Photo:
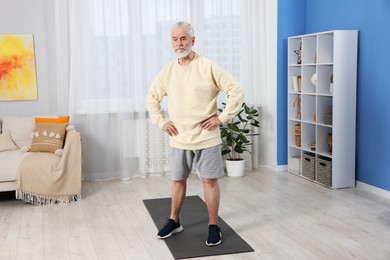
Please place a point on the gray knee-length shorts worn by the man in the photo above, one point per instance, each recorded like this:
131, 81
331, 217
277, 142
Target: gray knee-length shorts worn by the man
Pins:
208, 162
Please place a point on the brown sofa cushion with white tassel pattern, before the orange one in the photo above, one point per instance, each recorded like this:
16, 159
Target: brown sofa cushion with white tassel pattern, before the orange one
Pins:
48, 137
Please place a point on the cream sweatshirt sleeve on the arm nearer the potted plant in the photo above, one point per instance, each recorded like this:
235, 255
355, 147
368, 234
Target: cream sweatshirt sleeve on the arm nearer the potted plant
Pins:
235, 92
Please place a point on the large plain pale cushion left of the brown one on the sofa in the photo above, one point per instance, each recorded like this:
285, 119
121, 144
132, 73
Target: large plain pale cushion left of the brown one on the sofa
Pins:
20, 129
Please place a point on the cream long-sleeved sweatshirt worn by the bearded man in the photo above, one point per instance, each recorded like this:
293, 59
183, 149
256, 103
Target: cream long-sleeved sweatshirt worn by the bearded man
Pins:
192, 92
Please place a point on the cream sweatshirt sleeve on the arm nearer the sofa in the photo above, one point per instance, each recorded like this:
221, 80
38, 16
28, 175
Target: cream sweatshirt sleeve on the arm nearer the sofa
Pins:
154, 97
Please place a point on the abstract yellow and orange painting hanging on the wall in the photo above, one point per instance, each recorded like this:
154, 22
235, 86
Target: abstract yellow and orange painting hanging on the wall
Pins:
17, 67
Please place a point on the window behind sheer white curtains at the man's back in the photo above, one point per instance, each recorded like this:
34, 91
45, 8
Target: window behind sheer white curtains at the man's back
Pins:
128, 42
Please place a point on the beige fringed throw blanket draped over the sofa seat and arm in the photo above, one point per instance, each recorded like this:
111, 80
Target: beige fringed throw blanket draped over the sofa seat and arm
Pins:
45, 178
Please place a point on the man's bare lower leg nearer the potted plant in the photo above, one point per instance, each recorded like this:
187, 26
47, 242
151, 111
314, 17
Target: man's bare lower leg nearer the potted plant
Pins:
212, 197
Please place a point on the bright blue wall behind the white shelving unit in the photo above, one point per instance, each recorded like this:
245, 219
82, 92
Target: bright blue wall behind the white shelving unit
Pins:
372, 20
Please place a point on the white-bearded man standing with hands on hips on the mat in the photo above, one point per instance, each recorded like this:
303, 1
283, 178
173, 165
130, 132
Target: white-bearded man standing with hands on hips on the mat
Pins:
192, 83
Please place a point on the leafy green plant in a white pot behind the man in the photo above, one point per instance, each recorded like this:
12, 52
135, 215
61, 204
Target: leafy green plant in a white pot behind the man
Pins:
236, 134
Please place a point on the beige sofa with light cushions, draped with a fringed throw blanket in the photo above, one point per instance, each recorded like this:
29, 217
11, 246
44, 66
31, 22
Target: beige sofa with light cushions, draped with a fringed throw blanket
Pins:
38, 177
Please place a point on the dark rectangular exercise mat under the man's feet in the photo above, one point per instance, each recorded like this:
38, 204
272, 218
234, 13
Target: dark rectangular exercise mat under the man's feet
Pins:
191, 242
